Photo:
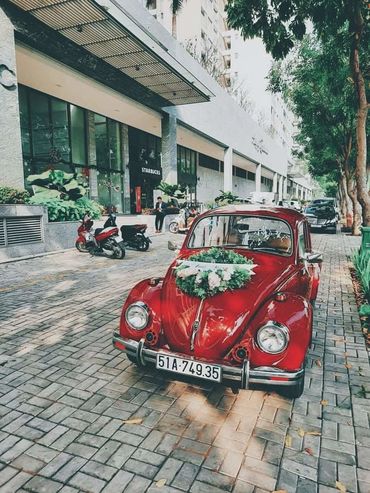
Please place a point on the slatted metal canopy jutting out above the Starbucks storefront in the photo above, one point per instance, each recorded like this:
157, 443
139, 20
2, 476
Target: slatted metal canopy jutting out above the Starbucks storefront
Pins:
92, 27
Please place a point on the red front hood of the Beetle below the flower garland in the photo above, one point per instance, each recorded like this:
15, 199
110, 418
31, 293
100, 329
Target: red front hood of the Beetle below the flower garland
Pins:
223, 318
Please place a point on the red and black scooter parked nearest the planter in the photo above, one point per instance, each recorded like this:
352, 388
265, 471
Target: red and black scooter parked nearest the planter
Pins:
103, 241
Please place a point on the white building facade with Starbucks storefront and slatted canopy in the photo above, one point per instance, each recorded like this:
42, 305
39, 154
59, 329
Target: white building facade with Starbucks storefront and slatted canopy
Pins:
108, 94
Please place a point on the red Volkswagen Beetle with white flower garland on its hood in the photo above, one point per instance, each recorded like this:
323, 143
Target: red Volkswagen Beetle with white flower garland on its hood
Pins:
235, 306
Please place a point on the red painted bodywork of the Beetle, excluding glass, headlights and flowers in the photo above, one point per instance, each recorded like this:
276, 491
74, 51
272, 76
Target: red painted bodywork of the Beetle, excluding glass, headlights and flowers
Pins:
231, 319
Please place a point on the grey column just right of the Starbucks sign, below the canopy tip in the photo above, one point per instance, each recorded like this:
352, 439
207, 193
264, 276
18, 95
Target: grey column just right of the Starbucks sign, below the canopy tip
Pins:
169, 149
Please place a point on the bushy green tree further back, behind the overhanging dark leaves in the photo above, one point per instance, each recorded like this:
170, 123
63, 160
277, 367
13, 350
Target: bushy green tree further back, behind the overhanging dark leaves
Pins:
324, 102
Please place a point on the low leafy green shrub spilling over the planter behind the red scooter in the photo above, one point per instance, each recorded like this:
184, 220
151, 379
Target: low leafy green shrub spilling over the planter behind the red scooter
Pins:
68, 210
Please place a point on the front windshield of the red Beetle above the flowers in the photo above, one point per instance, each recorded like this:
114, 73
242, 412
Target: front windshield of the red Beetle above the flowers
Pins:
251, 232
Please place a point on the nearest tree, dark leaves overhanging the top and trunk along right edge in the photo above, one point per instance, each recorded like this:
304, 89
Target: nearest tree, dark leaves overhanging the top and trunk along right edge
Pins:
281, 23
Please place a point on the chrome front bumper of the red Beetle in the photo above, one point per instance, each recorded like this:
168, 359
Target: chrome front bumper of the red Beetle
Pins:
241, 377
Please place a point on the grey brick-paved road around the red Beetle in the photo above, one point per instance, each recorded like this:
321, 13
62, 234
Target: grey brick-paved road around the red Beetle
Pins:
65, 392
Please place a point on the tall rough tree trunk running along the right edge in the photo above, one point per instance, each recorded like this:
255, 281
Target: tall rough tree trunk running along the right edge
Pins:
356, 29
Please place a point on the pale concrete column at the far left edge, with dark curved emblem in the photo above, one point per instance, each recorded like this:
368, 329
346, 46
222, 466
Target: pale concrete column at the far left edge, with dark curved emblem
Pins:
11, 159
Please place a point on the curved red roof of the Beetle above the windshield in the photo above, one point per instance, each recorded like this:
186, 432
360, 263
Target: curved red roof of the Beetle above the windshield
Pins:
290, 215
